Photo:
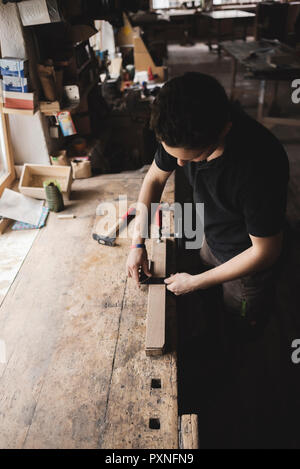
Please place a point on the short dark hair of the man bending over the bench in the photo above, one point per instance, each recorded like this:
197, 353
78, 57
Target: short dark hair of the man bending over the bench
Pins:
190, 111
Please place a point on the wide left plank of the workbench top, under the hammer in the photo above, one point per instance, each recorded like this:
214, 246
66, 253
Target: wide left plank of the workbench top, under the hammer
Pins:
60, 324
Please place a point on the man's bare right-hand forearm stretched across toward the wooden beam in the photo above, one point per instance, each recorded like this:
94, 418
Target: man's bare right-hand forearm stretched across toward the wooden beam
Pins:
262, 254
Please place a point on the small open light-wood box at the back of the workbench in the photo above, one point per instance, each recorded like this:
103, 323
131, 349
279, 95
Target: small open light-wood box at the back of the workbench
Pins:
34, 175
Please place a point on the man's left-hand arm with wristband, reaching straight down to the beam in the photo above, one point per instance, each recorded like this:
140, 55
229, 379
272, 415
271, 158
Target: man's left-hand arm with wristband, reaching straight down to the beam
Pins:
151, 191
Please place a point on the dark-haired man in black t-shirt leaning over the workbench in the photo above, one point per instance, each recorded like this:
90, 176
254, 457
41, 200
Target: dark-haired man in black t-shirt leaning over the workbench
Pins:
240, 171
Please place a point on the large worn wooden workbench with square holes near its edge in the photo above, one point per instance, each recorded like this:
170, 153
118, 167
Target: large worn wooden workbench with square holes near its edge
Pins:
74, 326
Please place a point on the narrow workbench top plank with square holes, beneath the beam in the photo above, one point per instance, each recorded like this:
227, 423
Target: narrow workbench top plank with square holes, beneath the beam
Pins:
143, 391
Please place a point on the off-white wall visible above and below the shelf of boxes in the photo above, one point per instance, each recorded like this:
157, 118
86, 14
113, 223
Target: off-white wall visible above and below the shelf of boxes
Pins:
29, 134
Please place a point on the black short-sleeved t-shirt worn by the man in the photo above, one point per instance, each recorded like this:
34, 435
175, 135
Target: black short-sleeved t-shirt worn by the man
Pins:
244, 190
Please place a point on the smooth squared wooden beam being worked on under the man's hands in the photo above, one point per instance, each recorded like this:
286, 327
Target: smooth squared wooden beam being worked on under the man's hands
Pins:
156, 312
